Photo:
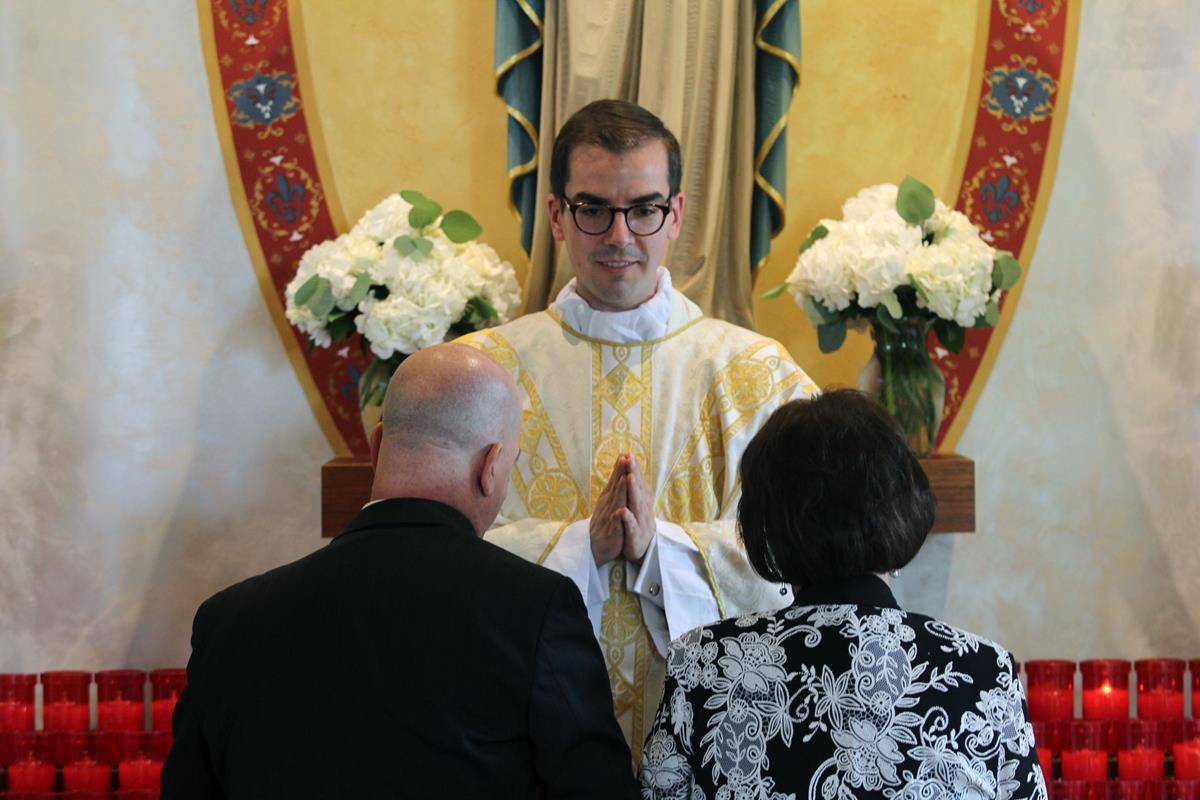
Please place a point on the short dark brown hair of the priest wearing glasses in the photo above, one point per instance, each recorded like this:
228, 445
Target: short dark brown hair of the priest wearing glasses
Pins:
617, 127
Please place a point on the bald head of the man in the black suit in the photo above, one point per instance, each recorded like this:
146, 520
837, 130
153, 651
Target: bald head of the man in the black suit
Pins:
452, 422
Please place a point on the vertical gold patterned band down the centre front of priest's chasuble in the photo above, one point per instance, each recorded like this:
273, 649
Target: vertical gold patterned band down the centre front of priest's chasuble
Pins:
623, 423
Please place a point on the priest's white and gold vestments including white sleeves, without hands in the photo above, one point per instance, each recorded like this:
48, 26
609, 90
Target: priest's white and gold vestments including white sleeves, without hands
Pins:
686, 406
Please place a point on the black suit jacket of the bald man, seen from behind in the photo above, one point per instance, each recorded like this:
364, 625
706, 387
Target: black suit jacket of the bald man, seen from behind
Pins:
406, 659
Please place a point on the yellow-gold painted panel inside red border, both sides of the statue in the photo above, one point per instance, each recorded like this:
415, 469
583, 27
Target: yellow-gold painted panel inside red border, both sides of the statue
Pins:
405, 100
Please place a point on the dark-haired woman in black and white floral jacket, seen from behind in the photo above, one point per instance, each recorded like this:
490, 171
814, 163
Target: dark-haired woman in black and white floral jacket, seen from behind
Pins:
842, 695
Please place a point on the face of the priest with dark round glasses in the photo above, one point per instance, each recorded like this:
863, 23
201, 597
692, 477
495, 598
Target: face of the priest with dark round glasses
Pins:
617, 268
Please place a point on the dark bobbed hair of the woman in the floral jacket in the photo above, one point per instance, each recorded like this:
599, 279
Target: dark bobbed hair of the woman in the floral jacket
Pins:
831, 490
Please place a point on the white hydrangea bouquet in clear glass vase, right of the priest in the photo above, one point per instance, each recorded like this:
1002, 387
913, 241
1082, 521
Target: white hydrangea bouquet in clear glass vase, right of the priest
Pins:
901, 262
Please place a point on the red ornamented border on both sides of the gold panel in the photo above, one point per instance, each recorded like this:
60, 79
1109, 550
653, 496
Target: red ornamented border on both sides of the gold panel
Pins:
285, 209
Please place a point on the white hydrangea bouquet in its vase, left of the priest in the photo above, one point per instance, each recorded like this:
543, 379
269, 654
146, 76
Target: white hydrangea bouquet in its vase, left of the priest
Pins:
407, 276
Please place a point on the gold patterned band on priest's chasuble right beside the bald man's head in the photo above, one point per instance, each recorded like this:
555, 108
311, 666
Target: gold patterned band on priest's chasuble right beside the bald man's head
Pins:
543, 476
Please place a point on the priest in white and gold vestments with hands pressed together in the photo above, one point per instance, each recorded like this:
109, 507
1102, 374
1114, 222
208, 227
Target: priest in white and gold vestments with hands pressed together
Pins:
637, 410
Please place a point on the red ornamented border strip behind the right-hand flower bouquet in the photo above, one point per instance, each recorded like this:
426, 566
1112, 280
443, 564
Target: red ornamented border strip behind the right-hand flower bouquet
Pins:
1006, 165
